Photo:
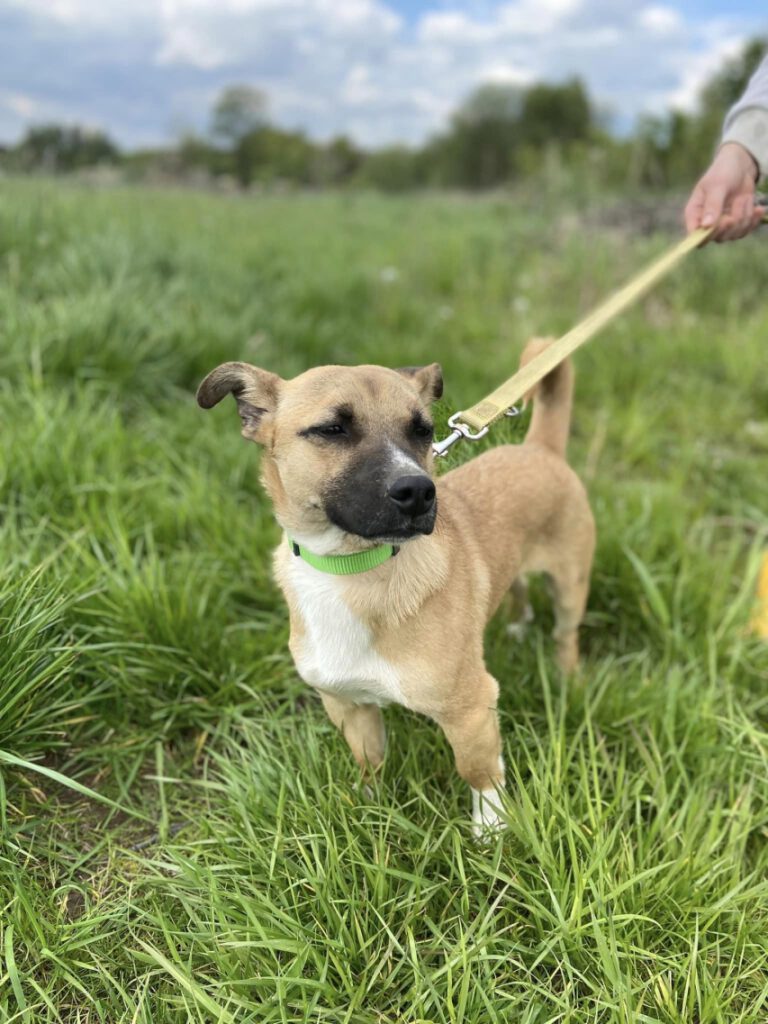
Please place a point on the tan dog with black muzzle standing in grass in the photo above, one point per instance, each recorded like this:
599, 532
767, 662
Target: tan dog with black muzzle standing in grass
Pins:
348, 463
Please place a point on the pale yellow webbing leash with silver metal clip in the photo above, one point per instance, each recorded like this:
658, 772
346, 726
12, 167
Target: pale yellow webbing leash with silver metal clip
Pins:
474, 423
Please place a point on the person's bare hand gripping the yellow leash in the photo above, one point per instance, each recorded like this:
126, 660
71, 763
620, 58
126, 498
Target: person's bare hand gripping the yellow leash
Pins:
726, 196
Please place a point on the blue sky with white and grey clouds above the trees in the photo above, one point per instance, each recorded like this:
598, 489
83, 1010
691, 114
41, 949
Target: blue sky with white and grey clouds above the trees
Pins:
379, 71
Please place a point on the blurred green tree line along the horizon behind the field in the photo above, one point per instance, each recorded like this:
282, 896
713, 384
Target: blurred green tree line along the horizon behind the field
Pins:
499, 135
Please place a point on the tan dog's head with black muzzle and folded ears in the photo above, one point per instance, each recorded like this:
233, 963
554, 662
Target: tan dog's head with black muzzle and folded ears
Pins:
347, 449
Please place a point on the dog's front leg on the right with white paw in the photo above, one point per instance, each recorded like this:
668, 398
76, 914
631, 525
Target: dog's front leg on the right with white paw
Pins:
473, 732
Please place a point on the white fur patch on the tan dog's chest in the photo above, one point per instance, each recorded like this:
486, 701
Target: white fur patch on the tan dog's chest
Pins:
337, 653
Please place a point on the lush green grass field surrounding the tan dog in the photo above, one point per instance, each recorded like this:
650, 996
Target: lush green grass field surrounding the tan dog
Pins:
184, 835
